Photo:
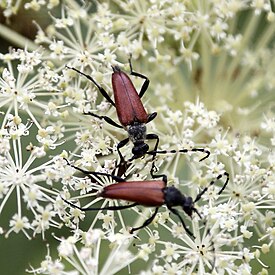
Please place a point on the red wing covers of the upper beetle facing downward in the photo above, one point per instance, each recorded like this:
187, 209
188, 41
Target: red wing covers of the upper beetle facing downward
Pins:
127, 101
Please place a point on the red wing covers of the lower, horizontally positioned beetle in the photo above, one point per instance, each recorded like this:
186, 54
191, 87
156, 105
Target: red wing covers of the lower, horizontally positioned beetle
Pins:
146, 193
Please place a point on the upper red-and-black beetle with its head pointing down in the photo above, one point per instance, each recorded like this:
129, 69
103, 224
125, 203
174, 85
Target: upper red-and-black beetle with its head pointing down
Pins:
130, 110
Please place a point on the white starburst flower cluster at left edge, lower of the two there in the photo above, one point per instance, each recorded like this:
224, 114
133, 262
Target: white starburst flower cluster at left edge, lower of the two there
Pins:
26, 180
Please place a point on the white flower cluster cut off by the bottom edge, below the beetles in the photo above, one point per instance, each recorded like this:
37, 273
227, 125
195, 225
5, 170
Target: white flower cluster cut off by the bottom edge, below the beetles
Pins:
86, 258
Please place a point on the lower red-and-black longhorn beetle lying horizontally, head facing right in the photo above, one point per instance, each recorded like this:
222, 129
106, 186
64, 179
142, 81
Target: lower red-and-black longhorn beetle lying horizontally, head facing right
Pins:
150, 193
